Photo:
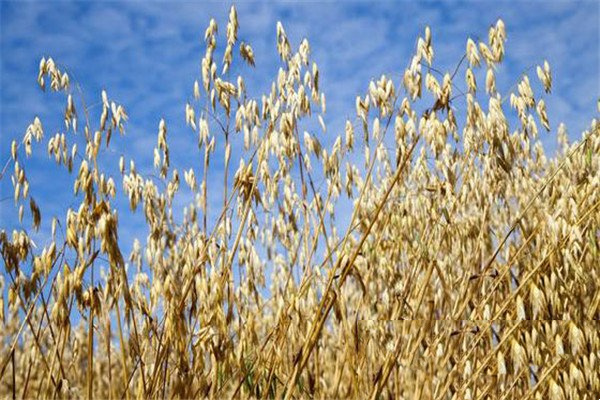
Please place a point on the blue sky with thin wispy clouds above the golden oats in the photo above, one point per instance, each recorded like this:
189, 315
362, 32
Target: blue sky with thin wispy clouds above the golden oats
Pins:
147, 56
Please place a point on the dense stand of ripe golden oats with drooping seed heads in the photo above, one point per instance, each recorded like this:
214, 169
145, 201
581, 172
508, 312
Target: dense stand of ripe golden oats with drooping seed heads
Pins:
469, 267
